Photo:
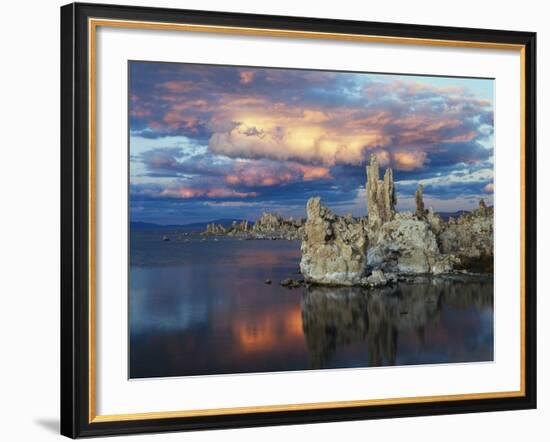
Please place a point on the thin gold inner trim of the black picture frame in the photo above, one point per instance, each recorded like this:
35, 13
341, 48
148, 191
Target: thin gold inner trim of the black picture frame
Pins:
93, 24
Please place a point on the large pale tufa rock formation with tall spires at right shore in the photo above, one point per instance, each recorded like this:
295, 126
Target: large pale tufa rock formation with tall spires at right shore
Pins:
387, 245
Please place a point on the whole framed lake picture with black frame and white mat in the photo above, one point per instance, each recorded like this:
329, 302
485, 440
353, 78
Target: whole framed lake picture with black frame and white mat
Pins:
278, 220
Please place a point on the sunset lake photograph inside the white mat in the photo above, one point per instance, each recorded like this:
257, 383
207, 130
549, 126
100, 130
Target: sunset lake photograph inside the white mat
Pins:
285, 219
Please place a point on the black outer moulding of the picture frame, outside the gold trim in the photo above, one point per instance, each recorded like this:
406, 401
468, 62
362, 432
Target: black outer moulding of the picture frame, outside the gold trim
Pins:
75, 220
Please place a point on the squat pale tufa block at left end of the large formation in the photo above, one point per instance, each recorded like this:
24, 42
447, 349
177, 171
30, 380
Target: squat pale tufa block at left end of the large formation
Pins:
333, 248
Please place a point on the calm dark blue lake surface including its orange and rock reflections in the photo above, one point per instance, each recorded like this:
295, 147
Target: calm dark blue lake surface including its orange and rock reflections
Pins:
203, 308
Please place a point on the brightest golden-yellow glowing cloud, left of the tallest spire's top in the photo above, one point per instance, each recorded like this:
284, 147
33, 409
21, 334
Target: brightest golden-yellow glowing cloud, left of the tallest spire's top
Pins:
285, 133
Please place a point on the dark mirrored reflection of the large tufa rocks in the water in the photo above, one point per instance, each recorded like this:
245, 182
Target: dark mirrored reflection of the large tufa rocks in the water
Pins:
334, 318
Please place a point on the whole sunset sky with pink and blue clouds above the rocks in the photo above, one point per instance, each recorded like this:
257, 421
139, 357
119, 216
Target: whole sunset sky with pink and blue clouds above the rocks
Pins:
210, 142
